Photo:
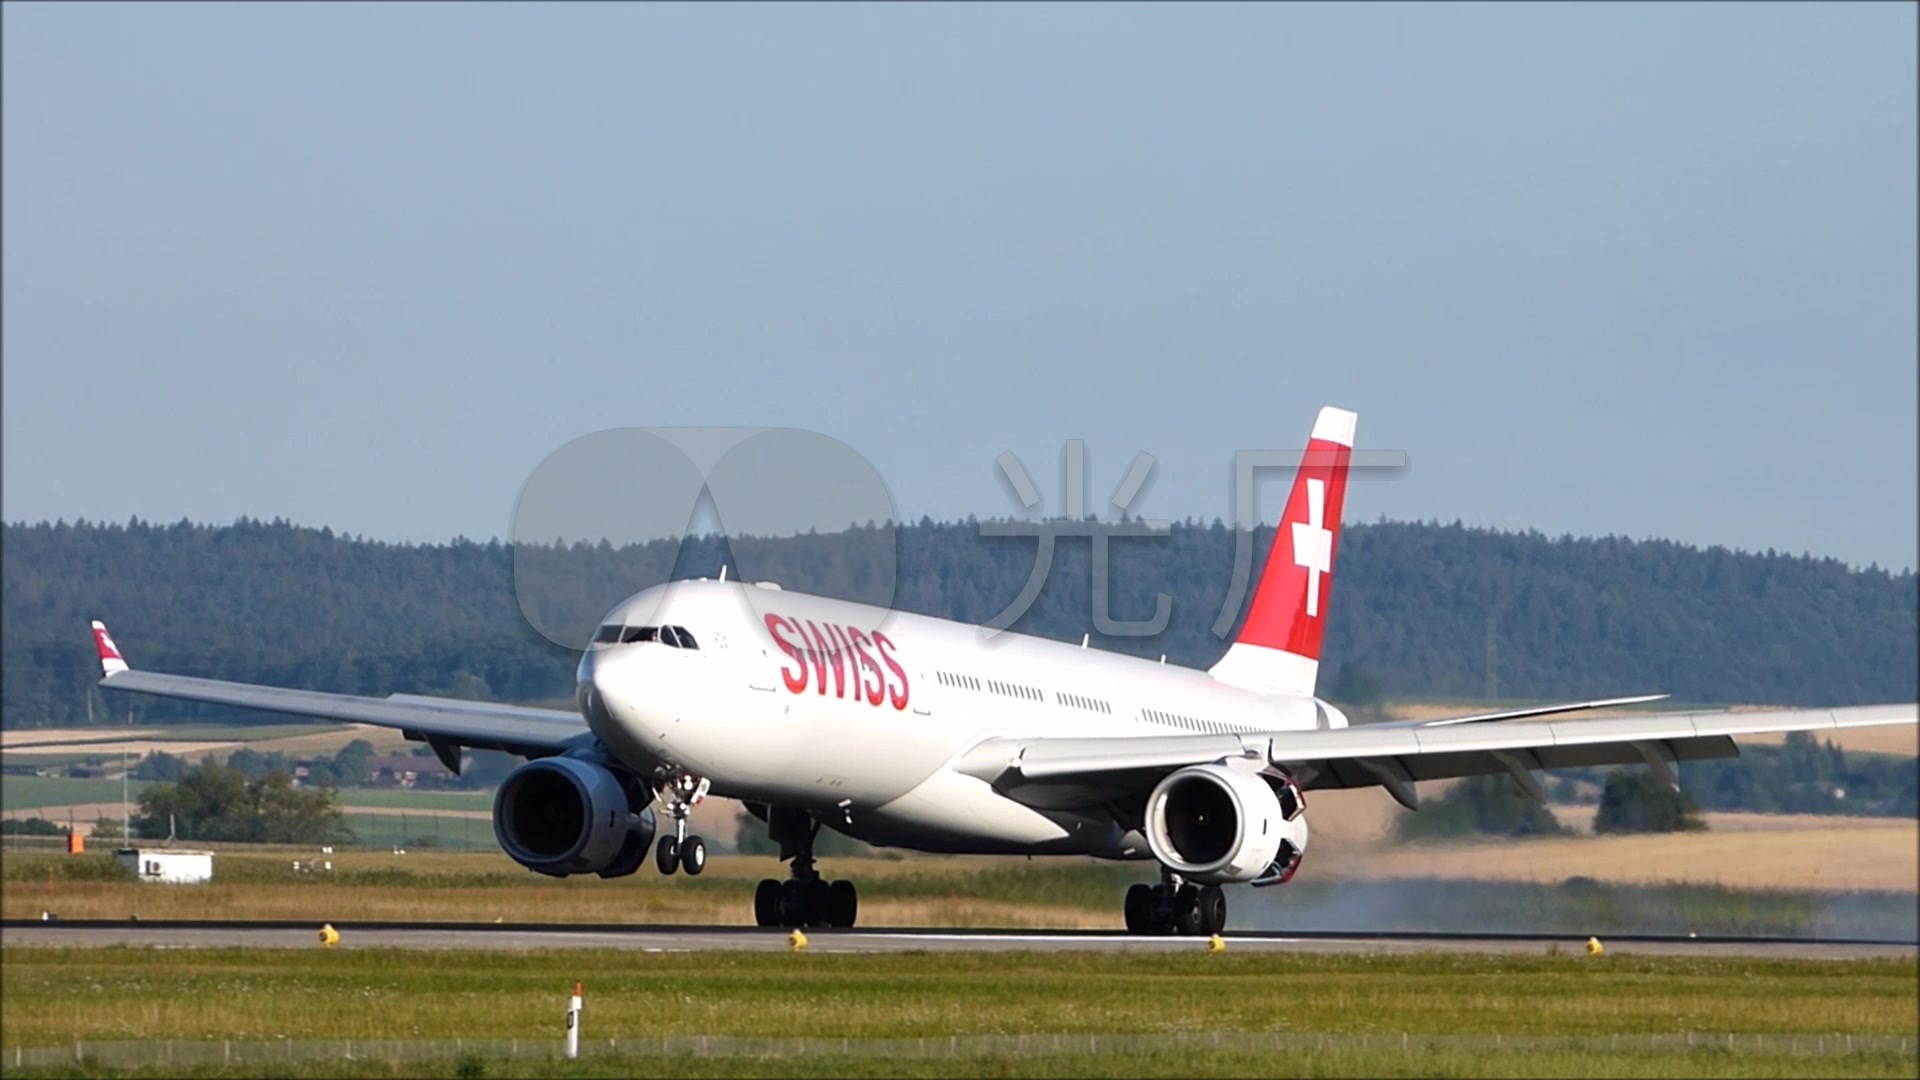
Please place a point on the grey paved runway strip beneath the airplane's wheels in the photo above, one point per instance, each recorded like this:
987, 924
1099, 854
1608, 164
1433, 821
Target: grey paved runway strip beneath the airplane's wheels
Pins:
660, 939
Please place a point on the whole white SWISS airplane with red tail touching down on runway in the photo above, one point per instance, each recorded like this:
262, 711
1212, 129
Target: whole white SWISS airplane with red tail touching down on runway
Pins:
923, 733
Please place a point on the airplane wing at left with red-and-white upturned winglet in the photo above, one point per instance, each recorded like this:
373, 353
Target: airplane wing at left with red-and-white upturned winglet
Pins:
444, 724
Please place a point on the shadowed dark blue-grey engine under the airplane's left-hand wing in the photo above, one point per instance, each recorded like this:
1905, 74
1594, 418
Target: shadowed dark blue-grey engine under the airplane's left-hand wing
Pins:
564, 816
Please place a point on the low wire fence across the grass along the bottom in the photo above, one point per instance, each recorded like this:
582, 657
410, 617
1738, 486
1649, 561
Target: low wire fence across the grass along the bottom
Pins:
197, 1054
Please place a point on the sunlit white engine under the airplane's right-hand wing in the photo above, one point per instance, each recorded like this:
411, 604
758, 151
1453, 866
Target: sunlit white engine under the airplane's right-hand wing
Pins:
1218, 825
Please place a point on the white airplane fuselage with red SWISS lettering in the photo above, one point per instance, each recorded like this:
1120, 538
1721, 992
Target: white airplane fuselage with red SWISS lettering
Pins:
859, 714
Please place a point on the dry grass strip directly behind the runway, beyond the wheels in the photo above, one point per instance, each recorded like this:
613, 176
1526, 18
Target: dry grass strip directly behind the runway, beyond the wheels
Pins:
915, 893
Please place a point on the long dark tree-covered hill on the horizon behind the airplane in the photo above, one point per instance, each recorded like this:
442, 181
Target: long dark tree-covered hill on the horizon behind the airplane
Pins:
1418, 608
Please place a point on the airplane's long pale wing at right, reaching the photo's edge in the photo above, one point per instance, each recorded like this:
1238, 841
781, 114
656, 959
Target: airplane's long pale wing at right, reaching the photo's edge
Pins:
1061, 773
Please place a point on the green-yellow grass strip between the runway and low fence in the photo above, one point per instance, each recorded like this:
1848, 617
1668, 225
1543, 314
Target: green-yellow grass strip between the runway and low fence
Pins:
64, 996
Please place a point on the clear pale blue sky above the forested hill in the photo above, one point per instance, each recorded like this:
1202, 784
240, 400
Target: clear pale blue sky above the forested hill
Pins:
1633, 270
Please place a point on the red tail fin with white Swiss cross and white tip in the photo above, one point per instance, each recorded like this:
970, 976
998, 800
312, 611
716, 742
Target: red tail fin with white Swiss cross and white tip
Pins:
1282, 637
